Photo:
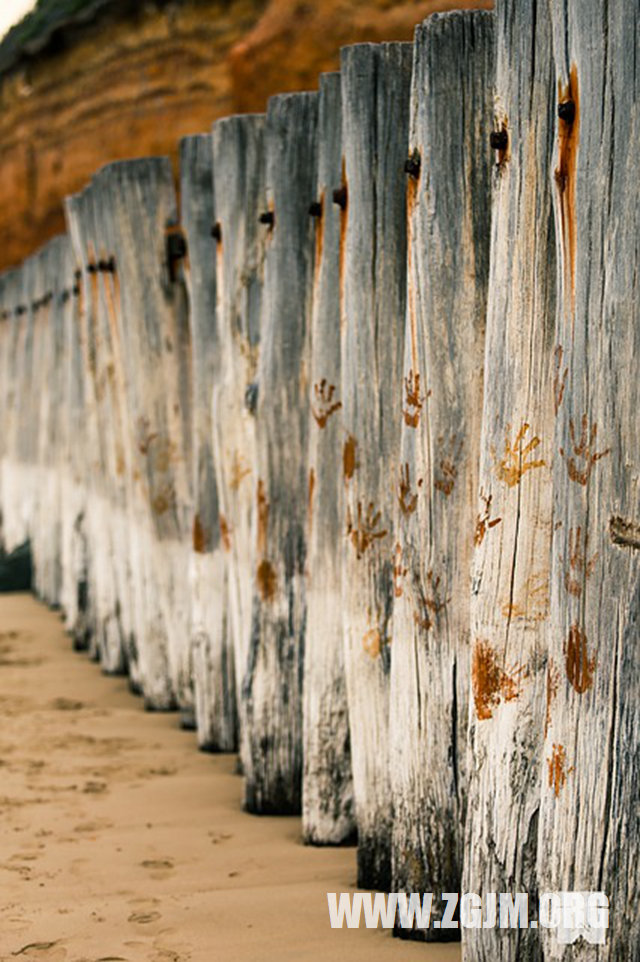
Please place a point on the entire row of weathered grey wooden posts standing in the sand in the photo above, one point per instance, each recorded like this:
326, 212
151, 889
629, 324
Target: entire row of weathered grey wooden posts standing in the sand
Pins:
341, 457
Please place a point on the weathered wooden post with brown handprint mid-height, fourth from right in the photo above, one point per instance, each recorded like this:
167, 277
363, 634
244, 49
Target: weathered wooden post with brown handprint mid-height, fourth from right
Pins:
376, 83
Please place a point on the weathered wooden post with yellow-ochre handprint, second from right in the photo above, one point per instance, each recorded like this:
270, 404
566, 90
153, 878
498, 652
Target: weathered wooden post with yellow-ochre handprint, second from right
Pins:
510, 587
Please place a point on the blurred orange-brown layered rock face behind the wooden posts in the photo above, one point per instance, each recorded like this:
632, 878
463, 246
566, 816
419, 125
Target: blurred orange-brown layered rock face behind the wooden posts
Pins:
142, 76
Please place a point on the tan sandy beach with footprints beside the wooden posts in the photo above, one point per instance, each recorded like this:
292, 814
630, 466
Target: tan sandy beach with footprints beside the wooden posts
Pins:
120, 841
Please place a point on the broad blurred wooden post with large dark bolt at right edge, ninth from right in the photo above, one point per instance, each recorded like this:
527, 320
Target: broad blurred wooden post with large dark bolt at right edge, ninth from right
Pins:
152, 318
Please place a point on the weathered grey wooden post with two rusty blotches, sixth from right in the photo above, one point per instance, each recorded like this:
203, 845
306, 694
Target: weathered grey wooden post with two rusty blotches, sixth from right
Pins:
273, 681
